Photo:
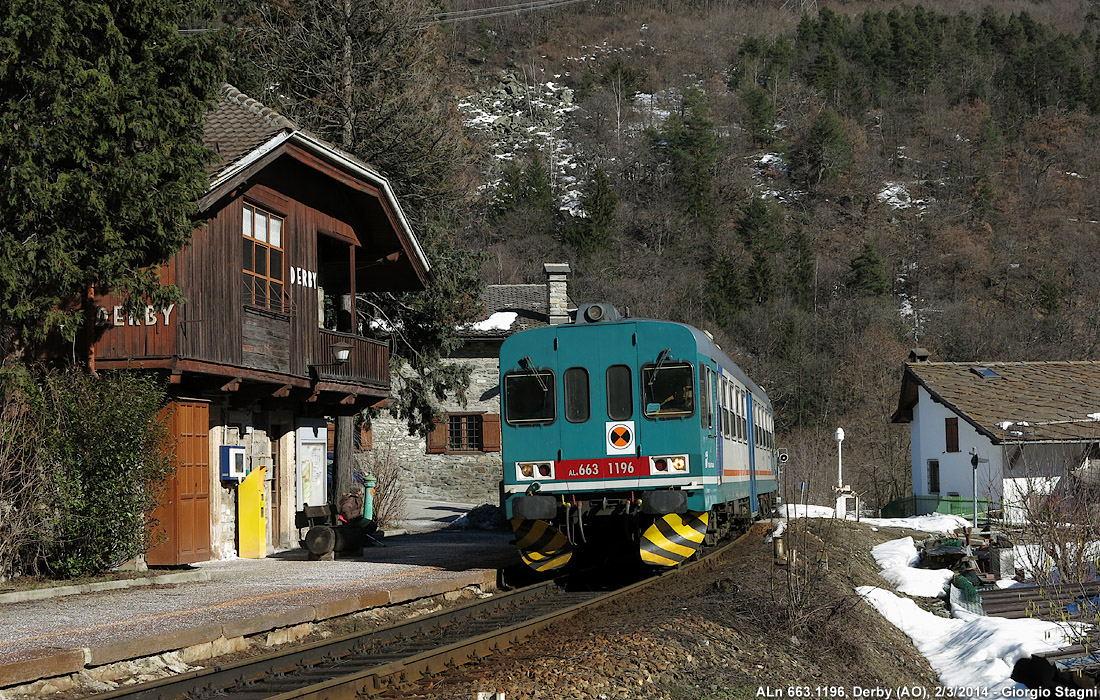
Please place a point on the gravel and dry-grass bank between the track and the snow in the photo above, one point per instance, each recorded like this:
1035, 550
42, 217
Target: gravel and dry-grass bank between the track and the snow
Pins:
744, 629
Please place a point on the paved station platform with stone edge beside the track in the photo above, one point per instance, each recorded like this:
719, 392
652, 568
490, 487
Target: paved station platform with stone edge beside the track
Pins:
206, 607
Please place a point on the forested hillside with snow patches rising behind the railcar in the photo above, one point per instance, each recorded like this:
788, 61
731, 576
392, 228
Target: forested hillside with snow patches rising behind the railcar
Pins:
823, 191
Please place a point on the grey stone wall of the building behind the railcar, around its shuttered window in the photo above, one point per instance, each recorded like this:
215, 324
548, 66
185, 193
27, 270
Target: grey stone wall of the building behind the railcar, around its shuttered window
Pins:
472, 479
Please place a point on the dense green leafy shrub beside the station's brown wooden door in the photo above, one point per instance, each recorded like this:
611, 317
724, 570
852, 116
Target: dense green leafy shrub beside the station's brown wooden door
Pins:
100, 454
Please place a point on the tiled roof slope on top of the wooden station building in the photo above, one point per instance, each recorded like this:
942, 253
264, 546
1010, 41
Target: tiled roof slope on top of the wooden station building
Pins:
239, 125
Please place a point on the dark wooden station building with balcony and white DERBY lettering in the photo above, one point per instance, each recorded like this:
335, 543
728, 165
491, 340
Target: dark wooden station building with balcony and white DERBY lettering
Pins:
293, 228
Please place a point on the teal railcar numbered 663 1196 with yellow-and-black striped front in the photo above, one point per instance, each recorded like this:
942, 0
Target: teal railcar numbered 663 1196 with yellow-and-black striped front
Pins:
639, 428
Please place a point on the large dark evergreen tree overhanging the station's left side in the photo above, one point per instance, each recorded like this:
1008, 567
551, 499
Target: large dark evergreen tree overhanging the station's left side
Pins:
102, 107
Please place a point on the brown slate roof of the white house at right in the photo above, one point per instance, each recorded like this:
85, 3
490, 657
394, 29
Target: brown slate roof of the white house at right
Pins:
1013, 402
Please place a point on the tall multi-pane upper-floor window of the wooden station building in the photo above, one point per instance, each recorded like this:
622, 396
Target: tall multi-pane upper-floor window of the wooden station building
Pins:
262, 244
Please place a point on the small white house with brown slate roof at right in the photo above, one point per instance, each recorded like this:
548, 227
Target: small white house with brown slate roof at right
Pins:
1016, 429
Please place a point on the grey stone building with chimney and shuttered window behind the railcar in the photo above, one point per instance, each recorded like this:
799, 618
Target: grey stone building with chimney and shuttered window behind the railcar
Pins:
461, 460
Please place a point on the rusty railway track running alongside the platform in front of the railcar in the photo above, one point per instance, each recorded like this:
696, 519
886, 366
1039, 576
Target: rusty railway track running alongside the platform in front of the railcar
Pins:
366, 664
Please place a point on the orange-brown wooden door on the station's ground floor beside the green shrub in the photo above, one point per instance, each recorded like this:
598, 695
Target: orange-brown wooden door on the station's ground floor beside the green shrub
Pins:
184, 513
